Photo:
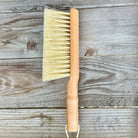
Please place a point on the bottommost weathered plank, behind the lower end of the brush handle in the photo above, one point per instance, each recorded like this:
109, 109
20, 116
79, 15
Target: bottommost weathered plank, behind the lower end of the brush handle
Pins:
94, 123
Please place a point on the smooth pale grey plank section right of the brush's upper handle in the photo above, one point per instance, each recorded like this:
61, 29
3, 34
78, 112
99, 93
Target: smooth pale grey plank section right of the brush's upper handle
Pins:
109, 31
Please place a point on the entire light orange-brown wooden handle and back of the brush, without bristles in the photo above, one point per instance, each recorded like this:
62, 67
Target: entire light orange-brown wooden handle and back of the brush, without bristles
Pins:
72, 87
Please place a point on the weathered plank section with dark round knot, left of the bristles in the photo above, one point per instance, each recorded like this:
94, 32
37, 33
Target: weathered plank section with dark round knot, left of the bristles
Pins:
17, 32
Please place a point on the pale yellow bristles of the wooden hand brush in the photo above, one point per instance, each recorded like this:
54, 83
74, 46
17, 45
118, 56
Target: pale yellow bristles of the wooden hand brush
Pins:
56, 48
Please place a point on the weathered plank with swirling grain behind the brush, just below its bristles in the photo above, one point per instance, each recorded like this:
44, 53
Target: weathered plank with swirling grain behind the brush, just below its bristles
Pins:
104, 81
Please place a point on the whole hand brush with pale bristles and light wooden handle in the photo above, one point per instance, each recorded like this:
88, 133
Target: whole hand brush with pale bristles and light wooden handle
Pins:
61, 56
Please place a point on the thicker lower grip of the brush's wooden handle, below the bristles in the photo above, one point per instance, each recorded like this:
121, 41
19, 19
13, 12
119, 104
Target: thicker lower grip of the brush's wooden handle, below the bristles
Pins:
72, 105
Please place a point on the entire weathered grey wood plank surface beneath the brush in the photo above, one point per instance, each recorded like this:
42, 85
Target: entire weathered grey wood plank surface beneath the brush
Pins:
108, 86
